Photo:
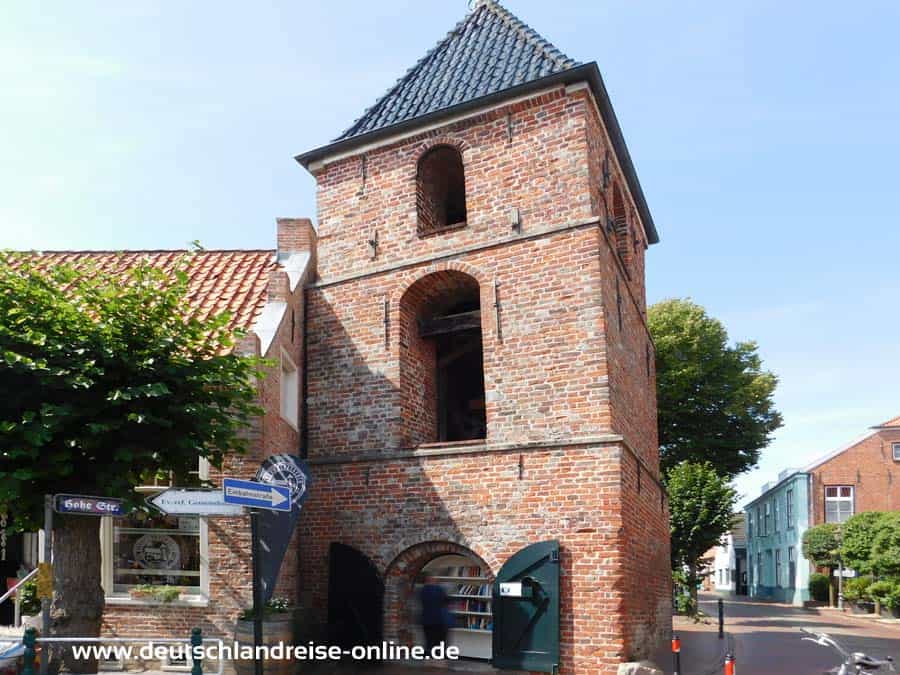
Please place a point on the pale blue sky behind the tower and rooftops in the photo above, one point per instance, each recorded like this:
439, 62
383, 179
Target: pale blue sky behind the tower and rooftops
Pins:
765, 134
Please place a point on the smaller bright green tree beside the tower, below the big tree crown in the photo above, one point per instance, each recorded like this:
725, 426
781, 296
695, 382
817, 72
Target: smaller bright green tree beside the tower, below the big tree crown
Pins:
701, 505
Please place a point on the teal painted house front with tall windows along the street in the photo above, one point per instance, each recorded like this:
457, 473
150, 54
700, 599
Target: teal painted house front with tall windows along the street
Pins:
775, 522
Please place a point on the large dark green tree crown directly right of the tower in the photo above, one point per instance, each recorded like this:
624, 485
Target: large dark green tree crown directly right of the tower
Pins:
715, 400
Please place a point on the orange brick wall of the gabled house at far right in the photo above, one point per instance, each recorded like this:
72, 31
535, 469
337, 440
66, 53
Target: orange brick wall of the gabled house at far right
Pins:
869, 467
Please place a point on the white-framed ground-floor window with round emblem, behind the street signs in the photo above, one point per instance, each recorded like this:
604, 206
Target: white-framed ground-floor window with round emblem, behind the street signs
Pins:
147, 548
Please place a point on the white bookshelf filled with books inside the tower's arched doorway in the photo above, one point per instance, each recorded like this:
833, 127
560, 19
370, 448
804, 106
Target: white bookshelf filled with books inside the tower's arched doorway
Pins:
469, 591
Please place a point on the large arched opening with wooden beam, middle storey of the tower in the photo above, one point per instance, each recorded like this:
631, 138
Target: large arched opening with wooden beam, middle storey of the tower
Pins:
442, 371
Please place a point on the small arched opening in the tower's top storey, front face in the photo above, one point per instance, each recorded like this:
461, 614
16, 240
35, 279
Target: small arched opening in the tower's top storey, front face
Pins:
441, 190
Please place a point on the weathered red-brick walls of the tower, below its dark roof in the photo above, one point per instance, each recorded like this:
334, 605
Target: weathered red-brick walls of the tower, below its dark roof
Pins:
564, 376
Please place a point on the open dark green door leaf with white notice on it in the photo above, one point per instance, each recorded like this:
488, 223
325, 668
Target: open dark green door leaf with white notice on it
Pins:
526, 610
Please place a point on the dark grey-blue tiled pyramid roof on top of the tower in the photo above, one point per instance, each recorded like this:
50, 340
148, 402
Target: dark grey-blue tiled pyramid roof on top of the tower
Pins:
487, 52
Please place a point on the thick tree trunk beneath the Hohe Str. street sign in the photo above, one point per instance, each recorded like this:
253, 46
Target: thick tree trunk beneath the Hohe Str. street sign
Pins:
77, 596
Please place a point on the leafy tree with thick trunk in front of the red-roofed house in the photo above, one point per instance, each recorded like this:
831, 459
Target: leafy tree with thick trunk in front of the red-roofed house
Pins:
107, 381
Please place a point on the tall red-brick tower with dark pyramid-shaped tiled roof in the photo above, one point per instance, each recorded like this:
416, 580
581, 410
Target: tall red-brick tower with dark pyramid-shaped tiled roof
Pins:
479, 370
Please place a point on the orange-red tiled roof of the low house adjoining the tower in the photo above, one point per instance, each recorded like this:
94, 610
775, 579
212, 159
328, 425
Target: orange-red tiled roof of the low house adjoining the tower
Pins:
219, 281
